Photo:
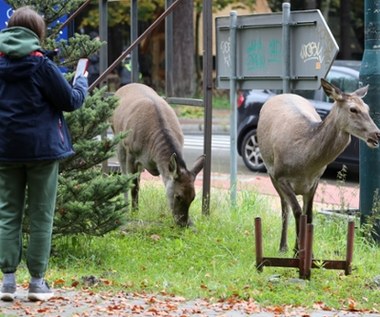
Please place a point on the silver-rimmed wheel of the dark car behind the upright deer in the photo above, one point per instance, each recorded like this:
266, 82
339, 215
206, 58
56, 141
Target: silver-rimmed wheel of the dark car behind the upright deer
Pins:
251, 153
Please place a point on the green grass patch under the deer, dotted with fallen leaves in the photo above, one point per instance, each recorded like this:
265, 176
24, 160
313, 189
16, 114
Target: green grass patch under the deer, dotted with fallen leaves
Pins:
217, 259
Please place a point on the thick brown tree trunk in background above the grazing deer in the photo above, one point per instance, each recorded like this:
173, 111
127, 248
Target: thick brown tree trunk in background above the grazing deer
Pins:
183, 50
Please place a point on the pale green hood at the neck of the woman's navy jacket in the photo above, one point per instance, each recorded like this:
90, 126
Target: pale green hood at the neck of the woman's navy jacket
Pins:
17, 42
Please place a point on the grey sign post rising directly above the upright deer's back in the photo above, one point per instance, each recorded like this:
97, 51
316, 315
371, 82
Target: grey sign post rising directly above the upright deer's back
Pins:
286, 47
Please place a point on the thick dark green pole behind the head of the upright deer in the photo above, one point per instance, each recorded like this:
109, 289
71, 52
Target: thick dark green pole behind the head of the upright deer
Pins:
369, 168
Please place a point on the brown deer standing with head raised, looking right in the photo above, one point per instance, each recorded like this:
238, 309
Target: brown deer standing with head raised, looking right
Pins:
296, 145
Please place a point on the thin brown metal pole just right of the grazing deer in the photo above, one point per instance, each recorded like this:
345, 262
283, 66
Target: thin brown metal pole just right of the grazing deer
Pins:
207, 97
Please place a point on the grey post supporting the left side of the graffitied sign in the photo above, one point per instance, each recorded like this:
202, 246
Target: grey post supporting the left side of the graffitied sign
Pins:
233, 121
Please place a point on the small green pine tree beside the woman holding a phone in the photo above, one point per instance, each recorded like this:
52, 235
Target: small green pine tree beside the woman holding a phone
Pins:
89, 201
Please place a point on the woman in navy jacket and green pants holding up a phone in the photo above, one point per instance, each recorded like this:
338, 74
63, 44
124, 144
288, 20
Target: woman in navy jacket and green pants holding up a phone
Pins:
34, 137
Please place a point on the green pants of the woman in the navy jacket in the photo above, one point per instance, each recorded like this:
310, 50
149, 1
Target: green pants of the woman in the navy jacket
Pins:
37, 182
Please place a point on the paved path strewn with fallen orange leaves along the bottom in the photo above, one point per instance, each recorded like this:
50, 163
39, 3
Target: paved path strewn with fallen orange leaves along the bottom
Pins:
88, 304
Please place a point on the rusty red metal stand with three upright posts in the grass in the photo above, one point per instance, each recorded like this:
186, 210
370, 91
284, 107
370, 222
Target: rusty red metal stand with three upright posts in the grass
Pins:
304, 262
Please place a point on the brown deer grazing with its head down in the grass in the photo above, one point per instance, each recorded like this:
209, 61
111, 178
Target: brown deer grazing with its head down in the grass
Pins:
155, 143
